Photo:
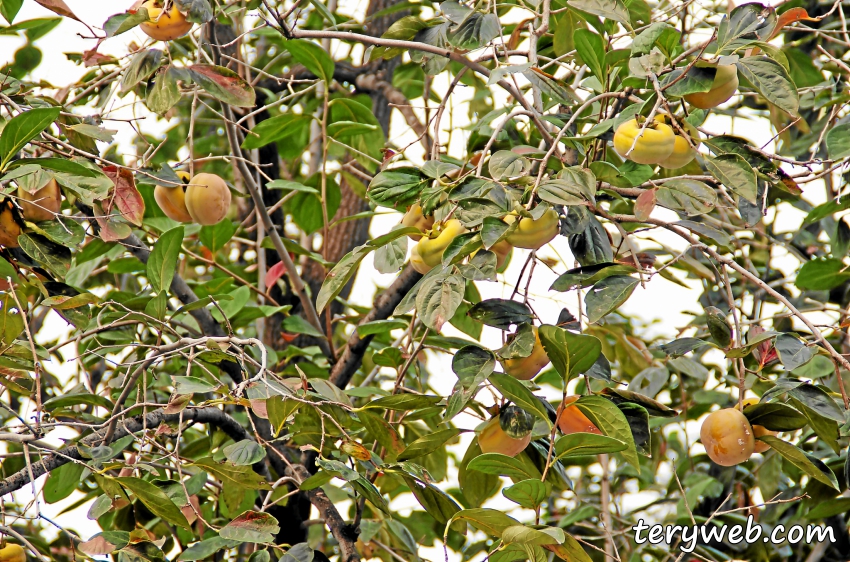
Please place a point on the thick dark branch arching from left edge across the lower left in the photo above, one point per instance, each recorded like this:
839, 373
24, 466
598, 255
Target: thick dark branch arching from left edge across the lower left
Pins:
211, 416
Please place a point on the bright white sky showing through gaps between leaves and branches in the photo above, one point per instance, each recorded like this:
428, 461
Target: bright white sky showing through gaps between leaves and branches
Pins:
663, 305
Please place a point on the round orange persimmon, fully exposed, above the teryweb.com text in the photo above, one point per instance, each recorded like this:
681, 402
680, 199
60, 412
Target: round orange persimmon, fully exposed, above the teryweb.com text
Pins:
727, 437
